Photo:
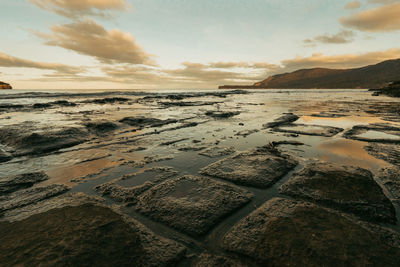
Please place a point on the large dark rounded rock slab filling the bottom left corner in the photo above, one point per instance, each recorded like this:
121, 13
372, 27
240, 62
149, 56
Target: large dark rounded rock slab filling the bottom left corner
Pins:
85, 235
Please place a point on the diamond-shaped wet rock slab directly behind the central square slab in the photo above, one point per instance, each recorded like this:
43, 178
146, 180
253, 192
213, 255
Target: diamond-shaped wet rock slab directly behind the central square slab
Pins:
258, 168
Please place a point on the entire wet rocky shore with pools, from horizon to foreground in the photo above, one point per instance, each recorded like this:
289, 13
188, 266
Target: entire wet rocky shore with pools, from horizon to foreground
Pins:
199, 179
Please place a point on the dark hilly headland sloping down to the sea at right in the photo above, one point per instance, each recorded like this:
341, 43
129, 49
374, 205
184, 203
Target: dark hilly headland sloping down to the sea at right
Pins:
373, 76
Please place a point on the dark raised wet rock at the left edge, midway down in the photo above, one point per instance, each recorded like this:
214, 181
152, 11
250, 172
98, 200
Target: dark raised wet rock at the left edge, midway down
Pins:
27, 143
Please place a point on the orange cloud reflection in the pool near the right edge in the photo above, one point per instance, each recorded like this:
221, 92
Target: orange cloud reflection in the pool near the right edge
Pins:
349, 152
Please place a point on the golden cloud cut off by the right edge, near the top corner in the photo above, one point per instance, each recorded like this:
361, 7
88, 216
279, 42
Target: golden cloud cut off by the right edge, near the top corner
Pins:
380, 19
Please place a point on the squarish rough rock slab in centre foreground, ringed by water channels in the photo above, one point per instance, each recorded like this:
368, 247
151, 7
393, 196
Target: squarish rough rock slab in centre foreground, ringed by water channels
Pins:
191, 204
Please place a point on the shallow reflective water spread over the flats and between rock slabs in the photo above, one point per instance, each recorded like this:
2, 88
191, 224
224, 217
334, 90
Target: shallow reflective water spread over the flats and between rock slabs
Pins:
129, 149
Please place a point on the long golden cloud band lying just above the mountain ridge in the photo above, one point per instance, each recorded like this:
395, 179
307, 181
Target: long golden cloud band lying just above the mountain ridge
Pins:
339, 61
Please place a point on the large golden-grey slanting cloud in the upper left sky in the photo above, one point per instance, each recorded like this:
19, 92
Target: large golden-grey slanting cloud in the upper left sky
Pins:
89, 38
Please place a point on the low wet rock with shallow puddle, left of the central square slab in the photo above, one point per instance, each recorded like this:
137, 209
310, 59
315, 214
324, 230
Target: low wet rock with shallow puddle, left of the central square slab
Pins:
135, 184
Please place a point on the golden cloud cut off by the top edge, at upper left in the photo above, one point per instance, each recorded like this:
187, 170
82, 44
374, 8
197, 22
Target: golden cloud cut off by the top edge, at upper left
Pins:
78, 8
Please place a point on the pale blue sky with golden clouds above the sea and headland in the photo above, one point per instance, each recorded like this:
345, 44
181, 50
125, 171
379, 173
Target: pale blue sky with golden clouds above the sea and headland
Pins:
139, 44
